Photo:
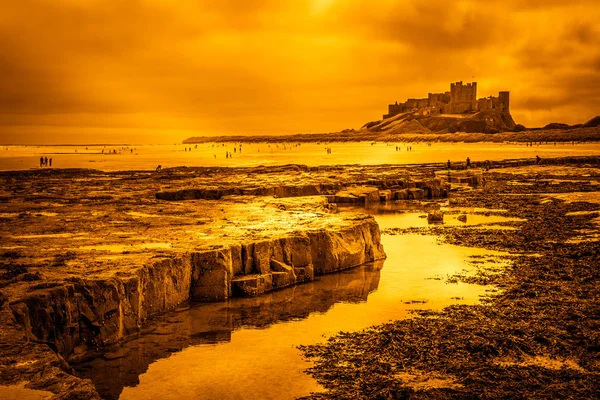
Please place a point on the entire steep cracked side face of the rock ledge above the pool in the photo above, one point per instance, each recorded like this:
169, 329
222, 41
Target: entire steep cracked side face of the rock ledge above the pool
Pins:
83, 316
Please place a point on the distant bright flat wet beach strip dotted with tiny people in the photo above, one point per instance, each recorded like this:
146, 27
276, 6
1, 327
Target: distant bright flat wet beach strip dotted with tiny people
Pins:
148, 157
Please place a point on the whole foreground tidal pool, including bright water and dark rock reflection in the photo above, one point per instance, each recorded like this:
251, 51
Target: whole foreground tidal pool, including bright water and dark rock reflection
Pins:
246, 348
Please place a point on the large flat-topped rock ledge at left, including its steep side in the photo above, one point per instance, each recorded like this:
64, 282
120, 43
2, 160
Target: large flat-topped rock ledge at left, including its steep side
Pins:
84, 265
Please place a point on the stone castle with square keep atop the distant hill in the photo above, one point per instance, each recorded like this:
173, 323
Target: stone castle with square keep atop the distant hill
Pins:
459, 100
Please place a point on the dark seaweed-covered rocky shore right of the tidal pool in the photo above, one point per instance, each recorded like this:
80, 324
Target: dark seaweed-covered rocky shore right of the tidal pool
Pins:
537, 337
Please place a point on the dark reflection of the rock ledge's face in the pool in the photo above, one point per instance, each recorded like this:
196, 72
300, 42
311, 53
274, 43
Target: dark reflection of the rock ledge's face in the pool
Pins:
214, 323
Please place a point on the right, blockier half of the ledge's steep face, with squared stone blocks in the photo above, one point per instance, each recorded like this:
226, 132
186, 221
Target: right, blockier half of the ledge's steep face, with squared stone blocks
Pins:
256, 268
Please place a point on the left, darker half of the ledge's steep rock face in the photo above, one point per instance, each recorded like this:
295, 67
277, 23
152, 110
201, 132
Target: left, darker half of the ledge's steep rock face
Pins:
82, 316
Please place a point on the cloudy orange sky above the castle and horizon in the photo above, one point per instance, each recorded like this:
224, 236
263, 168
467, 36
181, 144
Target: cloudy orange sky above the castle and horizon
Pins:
159, 71
